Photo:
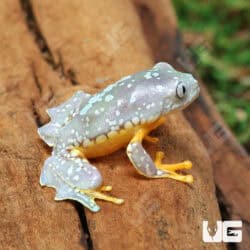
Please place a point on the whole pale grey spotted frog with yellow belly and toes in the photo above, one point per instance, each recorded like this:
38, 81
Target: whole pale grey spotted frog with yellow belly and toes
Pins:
121, 115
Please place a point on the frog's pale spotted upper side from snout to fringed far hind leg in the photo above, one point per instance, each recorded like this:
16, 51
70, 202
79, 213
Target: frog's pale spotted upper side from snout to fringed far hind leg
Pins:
135, 99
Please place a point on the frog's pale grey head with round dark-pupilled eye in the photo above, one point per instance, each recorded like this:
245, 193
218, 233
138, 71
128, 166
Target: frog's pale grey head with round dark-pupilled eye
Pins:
180, 89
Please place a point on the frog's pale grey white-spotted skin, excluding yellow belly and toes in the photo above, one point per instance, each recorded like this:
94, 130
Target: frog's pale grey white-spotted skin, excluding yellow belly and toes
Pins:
139, 98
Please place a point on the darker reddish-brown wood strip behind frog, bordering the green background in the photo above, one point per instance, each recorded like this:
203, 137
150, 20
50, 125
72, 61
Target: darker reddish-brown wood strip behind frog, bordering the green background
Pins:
230, 160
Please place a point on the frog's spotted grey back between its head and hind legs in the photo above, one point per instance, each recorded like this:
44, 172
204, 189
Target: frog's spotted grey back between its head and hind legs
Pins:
121, 106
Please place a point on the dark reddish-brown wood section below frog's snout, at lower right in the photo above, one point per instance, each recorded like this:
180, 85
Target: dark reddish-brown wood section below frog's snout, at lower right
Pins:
231, 163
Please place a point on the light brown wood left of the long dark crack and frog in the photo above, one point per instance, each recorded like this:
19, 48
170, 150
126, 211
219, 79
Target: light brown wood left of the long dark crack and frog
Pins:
29, 220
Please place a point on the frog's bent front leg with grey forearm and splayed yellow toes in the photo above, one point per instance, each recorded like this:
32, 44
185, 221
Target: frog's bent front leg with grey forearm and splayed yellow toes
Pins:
145, 165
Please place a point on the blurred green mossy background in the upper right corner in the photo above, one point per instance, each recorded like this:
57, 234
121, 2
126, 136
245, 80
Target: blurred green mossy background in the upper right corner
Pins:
217, 33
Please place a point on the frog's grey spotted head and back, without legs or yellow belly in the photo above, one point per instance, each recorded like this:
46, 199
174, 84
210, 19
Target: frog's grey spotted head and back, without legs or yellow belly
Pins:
136, 99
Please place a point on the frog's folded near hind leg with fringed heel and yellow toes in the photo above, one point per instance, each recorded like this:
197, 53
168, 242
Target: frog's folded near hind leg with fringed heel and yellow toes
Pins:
76, 179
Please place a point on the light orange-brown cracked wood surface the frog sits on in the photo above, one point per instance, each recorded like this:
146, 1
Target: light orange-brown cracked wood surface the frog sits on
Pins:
48, 50
